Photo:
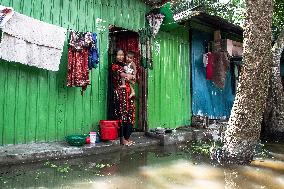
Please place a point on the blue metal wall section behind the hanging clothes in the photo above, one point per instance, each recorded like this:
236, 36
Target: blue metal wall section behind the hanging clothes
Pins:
206, 98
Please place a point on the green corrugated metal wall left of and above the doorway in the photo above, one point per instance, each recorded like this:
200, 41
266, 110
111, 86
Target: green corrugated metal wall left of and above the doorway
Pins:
35, 104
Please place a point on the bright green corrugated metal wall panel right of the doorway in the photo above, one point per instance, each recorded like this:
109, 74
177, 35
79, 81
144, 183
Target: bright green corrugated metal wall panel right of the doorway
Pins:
169, 81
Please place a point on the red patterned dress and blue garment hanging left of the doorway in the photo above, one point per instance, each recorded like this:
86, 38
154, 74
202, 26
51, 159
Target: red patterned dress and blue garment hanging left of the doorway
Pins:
82, 56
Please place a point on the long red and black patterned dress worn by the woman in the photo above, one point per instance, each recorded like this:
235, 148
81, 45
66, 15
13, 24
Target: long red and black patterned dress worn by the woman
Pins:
124, 109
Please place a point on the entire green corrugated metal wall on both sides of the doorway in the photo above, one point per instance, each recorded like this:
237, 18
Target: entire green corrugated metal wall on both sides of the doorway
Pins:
37, 106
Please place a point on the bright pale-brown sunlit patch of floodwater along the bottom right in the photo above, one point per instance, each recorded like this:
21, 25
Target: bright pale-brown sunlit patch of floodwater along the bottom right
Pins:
182, 174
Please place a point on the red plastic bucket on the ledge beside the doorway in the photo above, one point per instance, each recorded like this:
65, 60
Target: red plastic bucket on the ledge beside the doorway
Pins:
109, 129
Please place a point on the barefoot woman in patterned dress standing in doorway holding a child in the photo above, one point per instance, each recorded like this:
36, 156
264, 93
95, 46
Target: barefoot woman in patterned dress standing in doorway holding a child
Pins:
124, 109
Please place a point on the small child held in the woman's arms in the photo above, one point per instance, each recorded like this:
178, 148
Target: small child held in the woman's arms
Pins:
129, 68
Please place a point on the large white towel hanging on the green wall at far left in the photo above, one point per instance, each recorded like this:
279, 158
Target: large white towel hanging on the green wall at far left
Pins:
32, 42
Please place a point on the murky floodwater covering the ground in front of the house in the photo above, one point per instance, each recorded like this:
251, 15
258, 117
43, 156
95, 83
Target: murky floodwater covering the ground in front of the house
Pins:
157, 167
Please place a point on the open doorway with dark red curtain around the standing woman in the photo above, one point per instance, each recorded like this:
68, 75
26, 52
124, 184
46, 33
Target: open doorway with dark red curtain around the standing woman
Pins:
120, 38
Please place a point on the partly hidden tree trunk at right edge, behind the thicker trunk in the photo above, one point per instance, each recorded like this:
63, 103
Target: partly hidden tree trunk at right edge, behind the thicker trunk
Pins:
273, 122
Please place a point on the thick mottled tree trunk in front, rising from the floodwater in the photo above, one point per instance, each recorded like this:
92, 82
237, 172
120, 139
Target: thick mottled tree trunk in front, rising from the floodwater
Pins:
245, 122
